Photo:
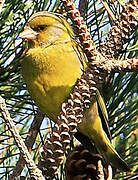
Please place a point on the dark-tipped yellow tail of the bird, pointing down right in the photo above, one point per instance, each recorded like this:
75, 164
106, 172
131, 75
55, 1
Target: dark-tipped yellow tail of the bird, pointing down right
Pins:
110, 155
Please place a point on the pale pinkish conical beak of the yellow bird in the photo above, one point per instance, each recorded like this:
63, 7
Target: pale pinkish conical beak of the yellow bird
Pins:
28, 33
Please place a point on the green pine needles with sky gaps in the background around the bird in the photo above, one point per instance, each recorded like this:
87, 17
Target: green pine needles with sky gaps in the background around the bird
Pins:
122, 91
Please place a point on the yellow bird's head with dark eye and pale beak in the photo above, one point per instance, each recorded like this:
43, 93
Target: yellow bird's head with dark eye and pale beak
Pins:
45, 28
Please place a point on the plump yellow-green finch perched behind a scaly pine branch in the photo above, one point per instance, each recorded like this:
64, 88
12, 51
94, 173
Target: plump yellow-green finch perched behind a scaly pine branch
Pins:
53, 62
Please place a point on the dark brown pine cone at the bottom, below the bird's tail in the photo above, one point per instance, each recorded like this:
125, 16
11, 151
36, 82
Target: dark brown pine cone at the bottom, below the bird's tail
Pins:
82, 164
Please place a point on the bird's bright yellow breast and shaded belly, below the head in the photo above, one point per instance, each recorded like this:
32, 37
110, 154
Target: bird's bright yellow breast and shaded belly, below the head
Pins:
50, 73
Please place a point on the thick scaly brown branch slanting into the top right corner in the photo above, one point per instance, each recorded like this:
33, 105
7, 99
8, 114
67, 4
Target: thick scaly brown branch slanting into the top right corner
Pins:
120, 33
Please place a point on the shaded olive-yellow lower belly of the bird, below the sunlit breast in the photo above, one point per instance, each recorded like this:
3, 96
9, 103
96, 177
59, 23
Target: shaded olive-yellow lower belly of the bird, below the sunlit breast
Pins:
49, 99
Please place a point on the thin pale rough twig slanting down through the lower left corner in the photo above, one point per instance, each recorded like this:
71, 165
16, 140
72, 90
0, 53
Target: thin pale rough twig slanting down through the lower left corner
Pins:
34, 171
